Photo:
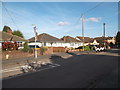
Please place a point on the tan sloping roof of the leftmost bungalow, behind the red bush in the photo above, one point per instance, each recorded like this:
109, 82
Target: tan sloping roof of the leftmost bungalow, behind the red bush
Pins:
9, 37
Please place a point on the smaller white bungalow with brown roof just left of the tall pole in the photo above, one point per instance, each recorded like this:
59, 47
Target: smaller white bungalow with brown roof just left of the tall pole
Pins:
71, 42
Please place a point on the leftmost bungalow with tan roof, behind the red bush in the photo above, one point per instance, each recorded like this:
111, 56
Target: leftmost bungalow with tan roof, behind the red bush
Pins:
5, 37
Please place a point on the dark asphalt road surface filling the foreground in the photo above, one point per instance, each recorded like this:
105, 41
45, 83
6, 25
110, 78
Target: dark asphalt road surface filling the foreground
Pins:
78, 71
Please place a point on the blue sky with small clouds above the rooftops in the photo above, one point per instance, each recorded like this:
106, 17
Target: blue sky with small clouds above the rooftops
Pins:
61, 18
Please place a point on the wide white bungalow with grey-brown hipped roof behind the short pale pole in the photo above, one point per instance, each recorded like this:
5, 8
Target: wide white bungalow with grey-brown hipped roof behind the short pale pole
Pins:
46, 40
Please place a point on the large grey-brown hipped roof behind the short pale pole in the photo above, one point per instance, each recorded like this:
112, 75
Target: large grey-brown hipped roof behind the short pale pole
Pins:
45, 38
